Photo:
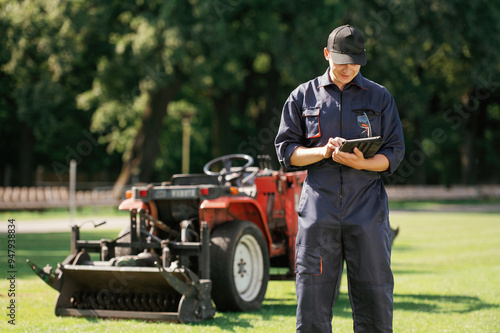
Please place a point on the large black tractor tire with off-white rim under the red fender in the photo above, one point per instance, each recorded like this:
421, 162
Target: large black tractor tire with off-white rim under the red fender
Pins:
239, 266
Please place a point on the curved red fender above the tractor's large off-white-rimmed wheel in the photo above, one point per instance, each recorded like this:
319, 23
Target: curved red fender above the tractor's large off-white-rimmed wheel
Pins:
238, 208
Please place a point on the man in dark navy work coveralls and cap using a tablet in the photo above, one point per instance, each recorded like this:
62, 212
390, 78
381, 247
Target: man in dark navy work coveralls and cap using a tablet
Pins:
343, 210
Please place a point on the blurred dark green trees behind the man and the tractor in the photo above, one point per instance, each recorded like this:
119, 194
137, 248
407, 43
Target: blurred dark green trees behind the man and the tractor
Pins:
118, 86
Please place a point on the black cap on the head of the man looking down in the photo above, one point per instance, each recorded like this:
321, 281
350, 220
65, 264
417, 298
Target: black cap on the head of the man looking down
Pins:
346, 46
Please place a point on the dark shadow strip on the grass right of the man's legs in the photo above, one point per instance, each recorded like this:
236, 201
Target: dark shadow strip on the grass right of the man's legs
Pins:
440, 303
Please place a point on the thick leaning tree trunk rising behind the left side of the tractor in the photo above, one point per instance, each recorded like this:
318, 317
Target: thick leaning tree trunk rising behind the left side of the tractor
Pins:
146, 147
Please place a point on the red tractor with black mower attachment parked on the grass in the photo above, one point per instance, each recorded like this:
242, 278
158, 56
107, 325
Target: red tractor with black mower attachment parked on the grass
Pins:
197, 238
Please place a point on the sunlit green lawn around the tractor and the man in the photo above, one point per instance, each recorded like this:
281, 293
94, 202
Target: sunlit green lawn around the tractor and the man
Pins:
446, 268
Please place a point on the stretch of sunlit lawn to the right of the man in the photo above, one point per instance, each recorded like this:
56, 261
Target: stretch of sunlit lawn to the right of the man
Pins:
446, 271
